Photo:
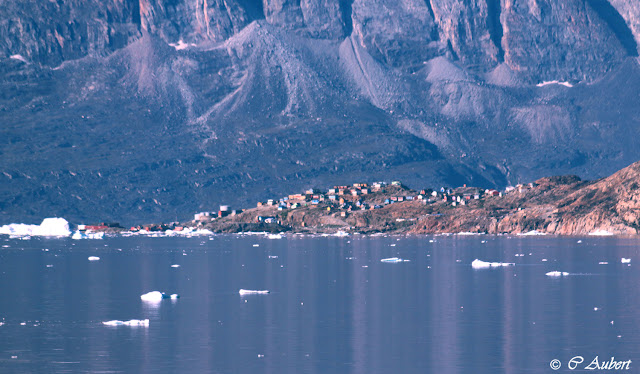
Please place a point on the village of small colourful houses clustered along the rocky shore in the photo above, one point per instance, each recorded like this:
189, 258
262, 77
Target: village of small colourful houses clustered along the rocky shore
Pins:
363, 207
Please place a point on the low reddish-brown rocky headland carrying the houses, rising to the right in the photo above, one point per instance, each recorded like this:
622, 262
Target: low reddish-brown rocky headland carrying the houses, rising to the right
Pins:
554, 205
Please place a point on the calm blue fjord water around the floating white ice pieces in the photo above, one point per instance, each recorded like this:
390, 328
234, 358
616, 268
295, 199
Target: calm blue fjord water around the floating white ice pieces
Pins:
333, 307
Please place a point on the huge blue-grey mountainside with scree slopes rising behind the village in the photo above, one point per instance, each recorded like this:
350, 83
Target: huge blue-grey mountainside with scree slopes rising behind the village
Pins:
148, 111
